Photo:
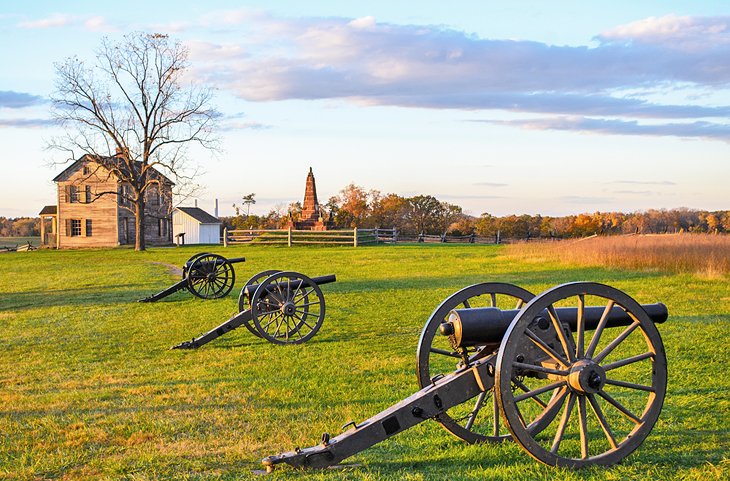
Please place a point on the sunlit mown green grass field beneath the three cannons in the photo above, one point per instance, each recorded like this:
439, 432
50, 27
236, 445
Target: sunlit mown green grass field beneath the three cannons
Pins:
89, 389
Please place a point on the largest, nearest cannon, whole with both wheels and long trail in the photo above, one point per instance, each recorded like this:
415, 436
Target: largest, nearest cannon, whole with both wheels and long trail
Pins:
576, 376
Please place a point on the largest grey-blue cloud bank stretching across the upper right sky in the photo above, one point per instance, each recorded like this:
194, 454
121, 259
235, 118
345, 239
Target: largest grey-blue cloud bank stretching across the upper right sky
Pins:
437, 67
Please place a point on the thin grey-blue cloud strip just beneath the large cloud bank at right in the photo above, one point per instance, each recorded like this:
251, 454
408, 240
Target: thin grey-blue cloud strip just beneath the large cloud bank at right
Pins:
697, 129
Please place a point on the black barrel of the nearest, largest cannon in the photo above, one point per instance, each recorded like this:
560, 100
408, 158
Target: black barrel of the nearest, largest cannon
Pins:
487, 325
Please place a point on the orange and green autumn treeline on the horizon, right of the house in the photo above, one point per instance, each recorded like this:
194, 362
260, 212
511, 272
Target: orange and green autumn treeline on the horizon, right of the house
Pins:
424, 214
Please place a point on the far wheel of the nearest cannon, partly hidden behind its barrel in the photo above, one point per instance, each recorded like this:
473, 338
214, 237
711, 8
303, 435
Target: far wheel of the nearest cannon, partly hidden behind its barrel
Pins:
435, 357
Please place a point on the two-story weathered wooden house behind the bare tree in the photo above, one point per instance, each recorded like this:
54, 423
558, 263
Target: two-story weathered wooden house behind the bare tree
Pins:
91, 210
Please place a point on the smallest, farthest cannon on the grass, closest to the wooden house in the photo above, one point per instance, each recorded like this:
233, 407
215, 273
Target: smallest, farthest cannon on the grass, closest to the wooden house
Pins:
205, 275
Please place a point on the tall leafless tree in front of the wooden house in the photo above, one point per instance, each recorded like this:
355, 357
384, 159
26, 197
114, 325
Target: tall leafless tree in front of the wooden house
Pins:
133, 116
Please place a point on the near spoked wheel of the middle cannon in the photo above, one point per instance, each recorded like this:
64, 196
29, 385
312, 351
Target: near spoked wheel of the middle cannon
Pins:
283, 314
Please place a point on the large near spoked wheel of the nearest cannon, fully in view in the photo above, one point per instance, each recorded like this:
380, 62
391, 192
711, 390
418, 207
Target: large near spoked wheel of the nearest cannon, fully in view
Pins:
608, 408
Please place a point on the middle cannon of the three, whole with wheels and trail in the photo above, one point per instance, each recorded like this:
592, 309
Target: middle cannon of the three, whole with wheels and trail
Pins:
283, 307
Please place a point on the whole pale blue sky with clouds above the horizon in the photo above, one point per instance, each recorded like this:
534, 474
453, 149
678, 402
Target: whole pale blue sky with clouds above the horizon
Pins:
501, 107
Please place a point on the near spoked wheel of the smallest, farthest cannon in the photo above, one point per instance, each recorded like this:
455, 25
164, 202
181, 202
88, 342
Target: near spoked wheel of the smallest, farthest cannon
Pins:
210, 276
